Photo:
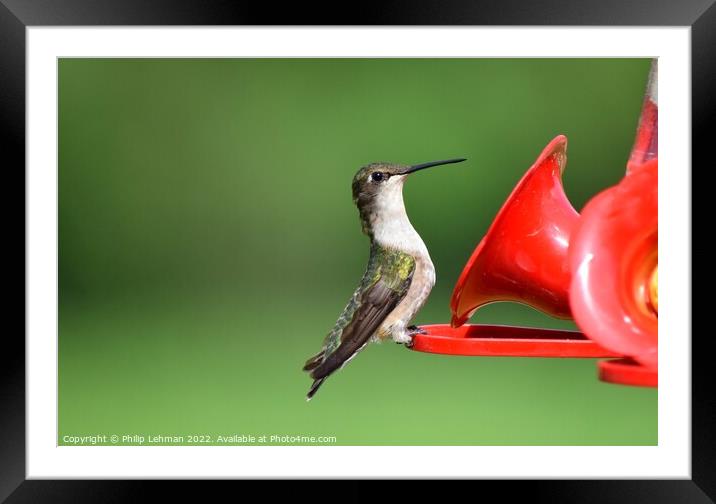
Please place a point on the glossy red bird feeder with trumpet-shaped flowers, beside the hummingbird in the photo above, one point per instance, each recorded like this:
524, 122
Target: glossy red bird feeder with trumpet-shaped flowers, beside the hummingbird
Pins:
599, 268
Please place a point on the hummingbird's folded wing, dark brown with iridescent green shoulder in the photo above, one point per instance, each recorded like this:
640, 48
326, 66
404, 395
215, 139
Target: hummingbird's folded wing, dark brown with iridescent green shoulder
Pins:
385, 284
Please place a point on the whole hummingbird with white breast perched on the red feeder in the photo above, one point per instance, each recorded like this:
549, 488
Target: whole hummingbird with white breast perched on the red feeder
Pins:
397, 281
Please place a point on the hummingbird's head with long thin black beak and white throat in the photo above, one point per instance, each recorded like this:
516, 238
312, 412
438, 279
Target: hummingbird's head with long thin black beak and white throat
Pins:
378, 189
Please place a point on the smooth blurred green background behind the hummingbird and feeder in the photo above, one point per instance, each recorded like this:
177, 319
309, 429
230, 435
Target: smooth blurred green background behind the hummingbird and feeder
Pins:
208, 241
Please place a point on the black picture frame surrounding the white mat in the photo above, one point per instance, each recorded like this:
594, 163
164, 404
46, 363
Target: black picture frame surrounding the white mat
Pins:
17, 15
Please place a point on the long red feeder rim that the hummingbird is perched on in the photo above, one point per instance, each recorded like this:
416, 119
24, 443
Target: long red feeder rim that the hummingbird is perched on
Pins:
506, 341
